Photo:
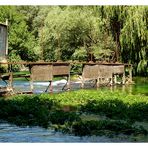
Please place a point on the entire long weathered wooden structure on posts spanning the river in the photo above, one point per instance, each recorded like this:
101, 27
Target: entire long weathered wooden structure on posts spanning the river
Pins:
107, 74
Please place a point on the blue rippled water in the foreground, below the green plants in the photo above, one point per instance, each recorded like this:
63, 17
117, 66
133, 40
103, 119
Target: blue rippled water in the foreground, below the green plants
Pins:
15, 134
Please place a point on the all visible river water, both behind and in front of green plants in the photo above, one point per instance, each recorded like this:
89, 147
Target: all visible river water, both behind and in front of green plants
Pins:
13, 133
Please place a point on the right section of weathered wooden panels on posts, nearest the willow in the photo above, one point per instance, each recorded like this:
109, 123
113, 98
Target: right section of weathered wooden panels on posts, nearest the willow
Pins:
104, 73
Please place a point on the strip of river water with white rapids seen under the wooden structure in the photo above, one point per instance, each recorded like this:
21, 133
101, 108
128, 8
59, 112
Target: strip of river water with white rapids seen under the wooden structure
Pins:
40, 87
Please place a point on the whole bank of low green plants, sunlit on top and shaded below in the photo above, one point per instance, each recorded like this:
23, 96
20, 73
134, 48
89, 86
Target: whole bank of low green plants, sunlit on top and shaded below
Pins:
83, 112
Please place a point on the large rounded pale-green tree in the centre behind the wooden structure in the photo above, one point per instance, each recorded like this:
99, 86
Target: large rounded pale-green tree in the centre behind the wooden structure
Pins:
71, 33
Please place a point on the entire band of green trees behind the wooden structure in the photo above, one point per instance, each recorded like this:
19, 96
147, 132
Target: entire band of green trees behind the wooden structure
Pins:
98, 33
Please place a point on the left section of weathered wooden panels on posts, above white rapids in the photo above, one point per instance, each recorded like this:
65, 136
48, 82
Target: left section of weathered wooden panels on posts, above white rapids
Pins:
45, 72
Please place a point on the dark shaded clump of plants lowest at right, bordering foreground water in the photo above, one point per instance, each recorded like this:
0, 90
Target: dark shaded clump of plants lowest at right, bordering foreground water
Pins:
105, 127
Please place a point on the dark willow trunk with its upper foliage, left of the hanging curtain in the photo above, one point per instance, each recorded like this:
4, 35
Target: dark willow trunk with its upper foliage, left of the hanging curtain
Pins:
114, 17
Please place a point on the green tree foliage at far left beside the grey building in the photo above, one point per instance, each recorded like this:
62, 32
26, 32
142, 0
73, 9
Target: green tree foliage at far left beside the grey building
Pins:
20, 38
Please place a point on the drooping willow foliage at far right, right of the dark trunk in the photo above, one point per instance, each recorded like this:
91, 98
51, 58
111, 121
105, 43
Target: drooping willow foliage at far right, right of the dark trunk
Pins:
134, 38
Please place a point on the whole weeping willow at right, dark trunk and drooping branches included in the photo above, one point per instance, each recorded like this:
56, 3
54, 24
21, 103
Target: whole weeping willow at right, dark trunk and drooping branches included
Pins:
128, 26
